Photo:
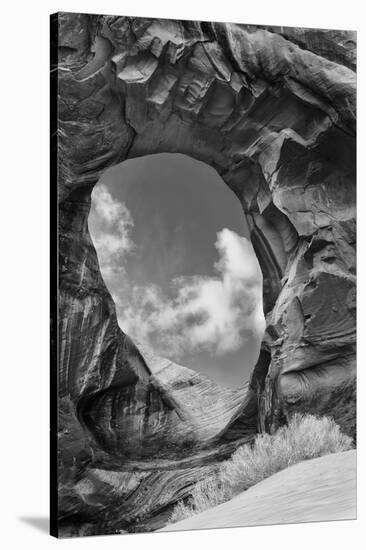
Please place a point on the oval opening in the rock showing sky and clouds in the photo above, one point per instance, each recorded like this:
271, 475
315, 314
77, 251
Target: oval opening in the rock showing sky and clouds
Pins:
174, 251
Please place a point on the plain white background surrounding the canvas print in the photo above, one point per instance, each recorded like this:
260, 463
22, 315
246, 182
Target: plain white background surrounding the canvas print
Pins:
24, 238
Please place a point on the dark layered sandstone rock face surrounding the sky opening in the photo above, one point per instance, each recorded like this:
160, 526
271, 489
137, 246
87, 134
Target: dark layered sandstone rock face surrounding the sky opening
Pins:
273, 111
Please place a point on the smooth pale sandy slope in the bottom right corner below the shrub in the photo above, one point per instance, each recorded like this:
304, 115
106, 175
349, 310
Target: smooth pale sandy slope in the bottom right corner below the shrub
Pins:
315, 490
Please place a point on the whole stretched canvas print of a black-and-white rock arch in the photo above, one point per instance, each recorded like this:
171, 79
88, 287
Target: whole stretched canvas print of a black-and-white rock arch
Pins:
203, 368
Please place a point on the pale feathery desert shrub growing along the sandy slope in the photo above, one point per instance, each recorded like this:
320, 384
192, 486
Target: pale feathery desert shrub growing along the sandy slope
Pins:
304, 437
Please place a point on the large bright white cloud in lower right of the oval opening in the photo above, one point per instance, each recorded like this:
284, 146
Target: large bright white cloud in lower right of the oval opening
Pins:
215, 314
